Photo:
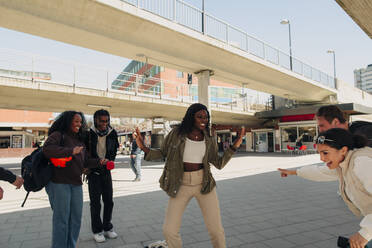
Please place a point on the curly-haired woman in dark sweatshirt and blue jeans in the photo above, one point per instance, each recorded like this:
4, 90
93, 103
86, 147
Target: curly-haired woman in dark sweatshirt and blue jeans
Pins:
65, 144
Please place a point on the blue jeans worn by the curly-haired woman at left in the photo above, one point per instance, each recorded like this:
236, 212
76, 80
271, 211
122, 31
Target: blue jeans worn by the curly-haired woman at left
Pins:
66, 201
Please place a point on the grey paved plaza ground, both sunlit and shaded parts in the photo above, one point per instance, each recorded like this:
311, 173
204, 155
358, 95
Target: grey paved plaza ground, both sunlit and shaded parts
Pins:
259, 208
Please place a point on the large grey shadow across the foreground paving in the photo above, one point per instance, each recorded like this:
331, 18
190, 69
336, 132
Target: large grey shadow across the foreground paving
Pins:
257, 211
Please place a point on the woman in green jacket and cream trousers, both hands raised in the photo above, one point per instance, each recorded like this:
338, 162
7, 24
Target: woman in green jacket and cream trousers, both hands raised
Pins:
189, 150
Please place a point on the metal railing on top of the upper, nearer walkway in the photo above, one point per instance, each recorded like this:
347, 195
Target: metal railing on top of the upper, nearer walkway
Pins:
191, 17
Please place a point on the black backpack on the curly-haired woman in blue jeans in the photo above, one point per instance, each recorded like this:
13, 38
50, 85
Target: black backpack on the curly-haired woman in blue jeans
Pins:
36, 171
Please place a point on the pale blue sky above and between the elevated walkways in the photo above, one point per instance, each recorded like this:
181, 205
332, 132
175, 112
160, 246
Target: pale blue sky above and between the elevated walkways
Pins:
316, 26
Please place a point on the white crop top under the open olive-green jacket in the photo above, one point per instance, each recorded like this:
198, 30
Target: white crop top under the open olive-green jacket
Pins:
194, 151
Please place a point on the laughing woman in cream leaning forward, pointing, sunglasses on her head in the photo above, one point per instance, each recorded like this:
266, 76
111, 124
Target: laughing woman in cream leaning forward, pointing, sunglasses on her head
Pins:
349, 161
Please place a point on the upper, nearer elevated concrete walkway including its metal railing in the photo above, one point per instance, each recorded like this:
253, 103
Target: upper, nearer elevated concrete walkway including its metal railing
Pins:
160, 32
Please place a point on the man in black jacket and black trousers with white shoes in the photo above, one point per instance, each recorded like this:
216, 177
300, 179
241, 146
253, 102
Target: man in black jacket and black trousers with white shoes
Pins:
102, 143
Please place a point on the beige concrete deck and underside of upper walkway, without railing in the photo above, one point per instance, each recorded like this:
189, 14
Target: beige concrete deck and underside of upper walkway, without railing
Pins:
115, 27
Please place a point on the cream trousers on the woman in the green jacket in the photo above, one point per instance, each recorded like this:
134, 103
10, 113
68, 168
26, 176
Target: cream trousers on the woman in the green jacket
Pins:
208, 203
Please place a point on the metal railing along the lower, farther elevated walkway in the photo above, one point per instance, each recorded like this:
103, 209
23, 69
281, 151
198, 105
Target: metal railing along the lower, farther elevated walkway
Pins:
18, 67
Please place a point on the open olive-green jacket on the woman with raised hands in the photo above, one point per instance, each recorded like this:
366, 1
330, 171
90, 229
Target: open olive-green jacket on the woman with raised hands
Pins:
172, 150
